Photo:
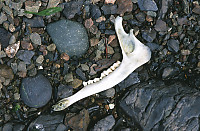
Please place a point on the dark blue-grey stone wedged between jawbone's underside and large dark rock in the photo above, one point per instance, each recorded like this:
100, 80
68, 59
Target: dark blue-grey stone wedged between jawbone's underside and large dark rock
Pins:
130, 80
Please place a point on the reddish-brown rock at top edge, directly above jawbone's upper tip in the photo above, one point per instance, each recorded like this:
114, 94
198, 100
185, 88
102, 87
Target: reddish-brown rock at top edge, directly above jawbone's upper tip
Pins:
124, 6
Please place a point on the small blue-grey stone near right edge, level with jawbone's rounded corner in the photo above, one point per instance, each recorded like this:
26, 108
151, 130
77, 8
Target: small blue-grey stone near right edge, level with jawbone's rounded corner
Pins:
173, 45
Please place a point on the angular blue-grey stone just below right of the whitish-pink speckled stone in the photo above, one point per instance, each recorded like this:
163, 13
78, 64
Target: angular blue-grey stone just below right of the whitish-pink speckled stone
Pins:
25, 55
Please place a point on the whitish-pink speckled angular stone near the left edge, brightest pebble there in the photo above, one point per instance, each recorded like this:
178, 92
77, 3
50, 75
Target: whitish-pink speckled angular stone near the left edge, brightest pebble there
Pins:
11, 50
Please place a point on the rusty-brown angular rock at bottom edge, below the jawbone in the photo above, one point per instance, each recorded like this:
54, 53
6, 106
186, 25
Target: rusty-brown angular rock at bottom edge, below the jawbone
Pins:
78, 122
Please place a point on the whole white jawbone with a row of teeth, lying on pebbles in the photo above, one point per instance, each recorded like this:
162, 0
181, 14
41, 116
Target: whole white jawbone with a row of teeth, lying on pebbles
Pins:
134, 54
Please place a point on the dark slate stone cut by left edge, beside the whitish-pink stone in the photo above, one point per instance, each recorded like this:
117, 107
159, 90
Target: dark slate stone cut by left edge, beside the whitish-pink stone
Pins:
4, 37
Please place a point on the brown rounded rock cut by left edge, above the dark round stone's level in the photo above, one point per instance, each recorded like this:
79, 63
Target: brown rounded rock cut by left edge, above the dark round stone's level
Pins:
6, 72
